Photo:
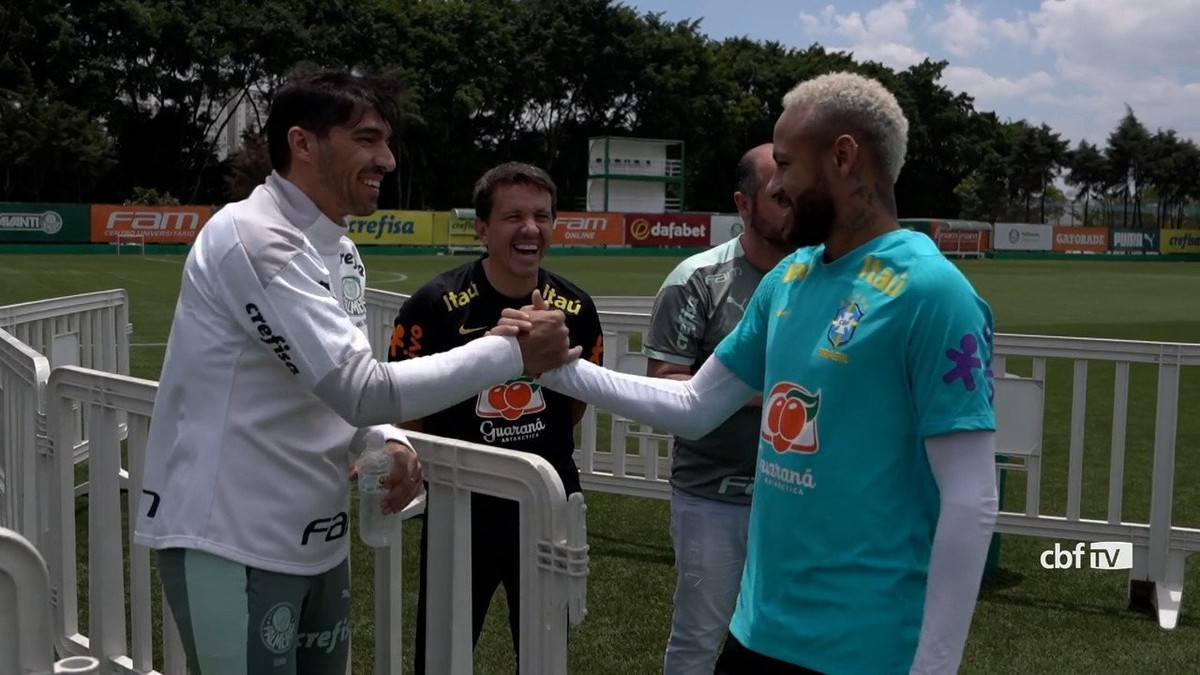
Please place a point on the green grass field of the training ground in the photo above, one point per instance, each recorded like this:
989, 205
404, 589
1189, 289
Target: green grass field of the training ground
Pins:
1029, 620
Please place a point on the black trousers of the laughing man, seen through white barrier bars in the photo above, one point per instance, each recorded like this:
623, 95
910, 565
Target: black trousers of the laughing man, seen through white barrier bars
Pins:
495, 560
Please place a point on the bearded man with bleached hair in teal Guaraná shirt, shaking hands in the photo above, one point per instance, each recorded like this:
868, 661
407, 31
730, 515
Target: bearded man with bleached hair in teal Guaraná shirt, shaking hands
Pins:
875, 494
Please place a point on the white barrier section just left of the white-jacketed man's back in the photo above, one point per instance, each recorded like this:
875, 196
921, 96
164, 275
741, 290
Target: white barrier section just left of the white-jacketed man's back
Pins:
110, 598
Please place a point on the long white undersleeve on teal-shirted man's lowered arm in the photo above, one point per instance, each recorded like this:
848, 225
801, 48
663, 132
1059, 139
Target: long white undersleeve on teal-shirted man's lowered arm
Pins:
964, 465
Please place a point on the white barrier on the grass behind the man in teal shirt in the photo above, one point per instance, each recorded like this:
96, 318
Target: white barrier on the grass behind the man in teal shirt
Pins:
1160, 548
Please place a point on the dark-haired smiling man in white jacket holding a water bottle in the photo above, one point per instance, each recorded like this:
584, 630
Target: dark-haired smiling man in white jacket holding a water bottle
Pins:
269, 386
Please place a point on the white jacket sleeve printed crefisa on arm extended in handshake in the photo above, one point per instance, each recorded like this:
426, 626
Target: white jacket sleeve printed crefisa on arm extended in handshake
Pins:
291, 314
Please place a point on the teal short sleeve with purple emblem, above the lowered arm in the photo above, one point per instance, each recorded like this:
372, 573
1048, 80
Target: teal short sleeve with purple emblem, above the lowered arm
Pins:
950, 355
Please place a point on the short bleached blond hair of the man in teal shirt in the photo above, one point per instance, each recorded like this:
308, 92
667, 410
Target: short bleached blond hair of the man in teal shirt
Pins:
848, 101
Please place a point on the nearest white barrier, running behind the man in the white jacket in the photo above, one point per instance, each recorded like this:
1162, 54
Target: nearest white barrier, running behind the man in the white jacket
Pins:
554, 563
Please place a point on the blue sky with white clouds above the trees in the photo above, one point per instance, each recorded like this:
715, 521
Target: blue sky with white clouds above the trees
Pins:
1071, 64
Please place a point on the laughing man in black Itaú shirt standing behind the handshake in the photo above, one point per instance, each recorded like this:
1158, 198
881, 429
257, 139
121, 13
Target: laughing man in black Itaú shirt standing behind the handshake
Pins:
514, 219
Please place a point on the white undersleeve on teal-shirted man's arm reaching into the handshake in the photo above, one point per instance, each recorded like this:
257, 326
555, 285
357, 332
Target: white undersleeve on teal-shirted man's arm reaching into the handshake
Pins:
688, 409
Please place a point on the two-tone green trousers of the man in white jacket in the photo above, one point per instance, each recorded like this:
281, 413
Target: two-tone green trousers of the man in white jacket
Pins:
238, 620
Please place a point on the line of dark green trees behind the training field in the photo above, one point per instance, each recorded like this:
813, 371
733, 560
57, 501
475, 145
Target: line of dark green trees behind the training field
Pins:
128, 100
